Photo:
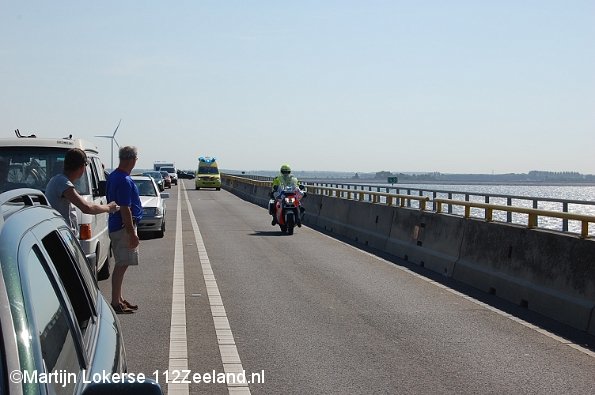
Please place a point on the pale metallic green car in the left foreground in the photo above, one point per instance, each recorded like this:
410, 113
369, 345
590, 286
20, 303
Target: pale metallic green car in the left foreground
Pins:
53, 316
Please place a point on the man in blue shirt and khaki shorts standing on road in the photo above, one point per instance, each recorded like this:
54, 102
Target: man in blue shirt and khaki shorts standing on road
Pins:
122, 224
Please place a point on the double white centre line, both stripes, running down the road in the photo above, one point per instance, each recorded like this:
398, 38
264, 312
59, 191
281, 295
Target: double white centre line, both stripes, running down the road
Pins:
178, 343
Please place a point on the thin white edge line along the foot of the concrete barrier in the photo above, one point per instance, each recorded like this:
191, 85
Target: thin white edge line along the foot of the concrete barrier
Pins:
473, 300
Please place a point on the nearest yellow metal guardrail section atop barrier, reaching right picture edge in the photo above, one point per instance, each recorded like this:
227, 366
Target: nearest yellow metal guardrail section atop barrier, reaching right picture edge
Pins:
533, 214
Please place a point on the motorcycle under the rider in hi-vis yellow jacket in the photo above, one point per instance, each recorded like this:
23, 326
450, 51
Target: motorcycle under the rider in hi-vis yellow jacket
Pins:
287, 208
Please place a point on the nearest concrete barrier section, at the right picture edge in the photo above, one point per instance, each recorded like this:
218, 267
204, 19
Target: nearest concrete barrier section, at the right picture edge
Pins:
544, 271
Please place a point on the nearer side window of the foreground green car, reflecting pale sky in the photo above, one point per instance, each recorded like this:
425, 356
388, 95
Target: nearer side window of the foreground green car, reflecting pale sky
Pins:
52, 326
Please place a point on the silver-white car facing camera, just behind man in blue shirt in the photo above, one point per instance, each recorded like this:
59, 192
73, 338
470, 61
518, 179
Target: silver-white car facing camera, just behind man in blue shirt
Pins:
153, 203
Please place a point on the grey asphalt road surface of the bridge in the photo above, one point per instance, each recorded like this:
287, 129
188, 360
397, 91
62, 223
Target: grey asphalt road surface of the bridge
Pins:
319, 316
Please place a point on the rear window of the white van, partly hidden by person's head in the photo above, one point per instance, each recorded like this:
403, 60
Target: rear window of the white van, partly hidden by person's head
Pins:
32, 167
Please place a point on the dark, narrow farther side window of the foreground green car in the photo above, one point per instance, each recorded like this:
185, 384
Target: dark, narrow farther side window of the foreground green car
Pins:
71, 278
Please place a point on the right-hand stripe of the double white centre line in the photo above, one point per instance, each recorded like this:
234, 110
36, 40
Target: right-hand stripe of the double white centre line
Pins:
232, 364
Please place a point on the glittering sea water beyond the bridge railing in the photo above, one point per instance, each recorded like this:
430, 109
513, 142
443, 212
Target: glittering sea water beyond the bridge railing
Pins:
581, 193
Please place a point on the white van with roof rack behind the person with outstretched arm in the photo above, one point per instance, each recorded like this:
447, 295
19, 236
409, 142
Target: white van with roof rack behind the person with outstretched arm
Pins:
30, 162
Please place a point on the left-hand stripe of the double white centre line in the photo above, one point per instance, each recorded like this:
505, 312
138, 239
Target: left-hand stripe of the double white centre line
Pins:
178, 343
